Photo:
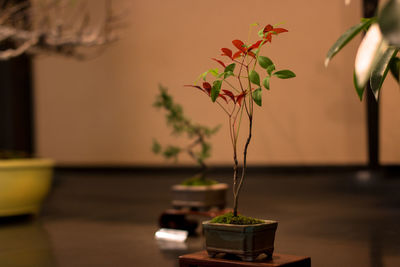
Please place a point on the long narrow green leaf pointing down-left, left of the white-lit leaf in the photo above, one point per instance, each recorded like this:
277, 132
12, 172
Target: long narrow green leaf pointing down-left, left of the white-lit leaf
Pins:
347, 37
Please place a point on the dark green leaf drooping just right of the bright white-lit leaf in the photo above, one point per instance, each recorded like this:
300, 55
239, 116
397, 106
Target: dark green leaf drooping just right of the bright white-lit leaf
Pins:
380, 71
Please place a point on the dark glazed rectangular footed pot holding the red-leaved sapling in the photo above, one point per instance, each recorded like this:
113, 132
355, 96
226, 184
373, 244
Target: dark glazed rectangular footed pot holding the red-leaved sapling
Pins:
244, 241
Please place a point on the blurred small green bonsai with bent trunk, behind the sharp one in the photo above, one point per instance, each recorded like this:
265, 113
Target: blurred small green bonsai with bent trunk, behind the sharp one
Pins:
199, 149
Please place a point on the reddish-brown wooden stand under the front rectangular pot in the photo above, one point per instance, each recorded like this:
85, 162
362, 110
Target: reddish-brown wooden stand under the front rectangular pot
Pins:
200, 259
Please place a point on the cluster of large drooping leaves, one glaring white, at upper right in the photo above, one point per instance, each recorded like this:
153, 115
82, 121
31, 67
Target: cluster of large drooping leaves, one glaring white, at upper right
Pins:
377, 53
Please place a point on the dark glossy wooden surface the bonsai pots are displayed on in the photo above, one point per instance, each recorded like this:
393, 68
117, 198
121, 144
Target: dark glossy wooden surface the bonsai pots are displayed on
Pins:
109, 219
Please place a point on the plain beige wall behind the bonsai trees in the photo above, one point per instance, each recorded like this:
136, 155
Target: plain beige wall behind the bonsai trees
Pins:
99, 111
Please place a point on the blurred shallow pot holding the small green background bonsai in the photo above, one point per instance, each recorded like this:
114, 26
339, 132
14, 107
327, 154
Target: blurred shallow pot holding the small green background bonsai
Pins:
199, 196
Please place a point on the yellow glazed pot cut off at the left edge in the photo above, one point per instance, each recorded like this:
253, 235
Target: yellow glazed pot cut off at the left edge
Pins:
24, 183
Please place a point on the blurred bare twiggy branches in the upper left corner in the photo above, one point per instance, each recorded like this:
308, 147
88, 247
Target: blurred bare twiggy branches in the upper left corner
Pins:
64, 27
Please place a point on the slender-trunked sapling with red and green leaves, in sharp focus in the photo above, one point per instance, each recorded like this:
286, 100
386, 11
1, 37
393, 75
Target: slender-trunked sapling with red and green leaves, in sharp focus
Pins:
238, 88
